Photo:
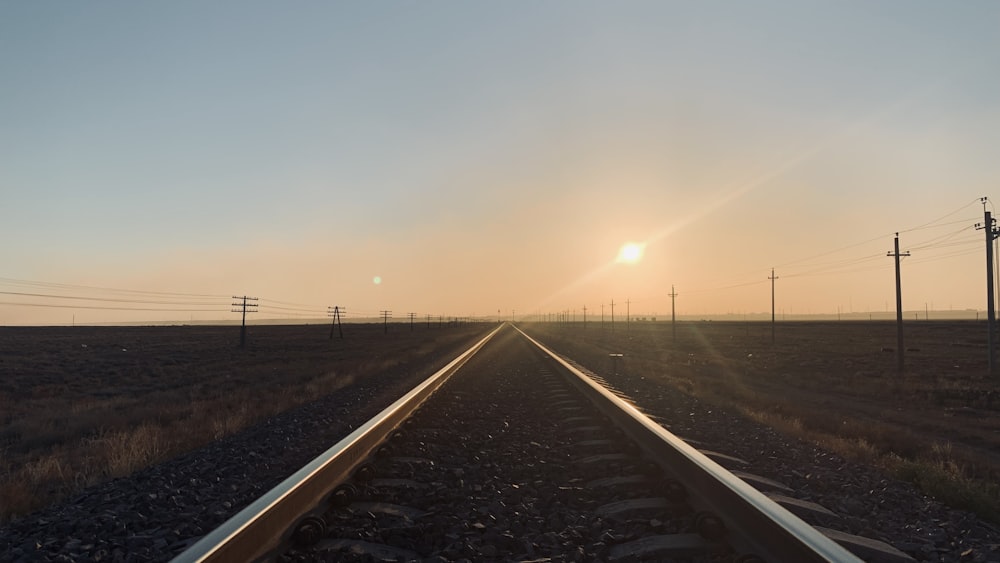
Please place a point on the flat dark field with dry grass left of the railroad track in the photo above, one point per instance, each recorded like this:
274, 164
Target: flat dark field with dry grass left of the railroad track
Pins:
79, 405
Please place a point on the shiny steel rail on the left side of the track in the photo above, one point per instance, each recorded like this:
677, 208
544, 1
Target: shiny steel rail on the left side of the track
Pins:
261, 527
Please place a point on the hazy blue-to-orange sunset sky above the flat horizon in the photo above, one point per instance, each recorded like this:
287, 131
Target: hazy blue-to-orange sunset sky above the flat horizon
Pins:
469, 158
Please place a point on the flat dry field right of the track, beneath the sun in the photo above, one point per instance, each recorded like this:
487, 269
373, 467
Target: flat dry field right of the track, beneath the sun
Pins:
936, 424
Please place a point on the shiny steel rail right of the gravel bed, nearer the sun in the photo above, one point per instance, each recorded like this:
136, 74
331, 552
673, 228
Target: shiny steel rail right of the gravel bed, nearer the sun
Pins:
763, 527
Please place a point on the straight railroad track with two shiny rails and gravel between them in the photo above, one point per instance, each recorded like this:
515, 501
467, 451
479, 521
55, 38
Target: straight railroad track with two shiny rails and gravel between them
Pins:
510, 453
